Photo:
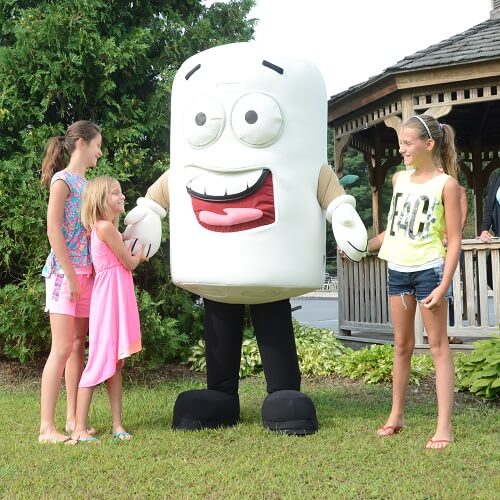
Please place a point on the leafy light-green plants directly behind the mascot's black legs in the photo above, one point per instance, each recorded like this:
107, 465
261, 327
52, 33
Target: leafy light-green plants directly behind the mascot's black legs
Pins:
317, 351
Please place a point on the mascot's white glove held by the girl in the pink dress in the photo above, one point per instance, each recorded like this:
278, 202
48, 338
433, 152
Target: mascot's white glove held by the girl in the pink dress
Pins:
144, 227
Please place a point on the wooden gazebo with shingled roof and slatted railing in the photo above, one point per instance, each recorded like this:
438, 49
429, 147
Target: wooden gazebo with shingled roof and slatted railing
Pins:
457, 81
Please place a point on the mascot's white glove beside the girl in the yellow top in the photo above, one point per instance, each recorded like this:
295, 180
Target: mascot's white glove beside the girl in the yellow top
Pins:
347, 226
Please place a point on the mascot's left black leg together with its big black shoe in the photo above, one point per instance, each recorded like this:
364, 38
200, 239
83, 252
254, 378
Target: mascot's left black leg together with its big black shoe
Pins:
217, 406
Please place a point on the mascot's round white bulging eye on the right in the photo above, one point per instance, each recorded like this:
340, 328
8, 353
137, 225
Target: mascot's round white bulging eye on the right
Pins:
256, 119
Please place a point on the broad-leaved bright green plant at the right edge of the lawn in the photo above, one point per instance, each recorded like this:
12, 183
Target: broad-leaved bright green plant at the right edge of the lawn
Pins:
479, 372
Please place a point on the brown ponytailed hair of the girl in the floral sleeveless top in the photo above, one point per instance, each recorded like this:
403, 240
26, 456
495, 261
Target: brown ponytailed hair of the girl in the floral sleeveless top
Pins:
54, 159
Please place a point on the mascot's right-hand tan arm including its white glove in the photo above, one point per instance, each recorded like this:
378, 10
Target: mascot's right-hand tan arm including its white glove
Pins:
347, 226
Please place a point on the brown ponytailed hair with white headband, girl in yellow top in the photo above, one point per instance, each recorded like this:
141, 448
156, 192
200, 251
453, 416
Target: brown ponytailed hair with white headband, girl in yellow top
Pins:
444, 152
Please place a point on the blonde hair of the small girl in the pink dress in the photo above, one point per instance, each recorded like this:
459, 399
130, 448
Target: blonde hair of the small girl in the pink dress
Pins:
94, 201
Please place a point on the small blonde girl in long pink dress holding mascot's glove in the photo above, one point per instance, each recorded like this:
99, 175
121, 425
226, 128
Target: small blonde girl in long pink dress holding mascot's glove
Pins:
114, 329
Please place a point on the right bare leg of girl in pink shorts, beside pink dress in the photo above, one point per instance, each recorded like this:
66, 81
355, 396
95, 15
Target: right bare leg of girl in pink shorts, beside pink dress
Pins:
74, 370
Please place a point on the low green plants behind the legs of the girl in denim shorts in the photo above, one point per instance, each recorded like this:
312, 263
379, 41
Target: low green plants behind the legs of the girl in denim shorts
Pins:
374, 365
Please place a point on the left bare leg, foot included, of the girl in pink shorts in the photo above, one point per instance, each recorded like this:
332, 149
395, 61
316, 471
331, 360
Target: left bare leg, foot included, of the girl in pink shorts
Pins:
62, 327
